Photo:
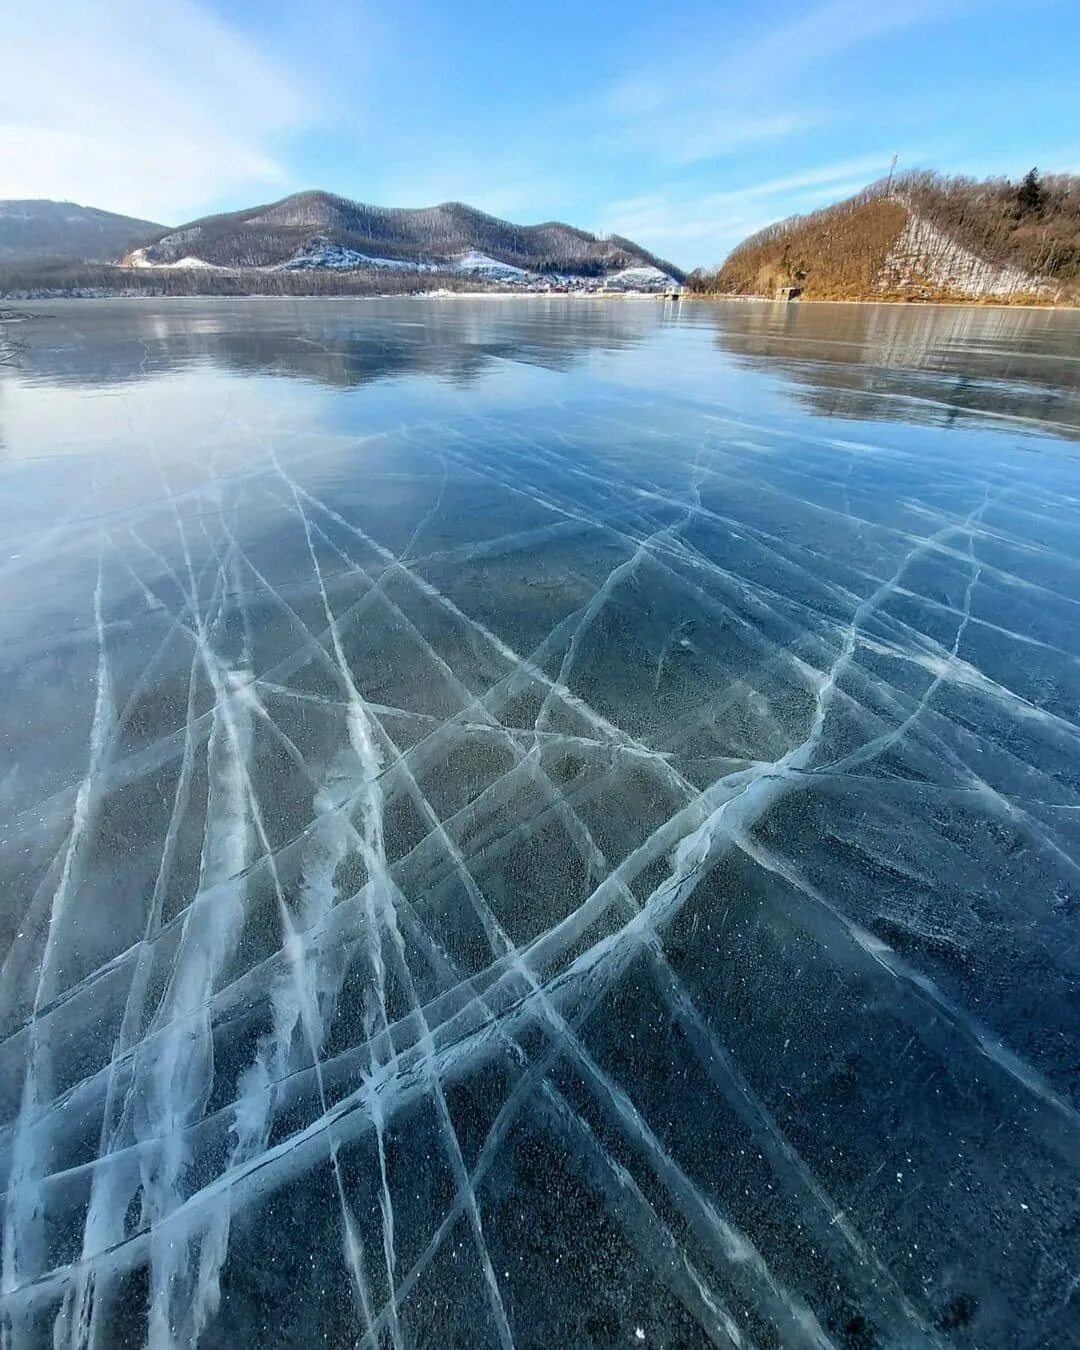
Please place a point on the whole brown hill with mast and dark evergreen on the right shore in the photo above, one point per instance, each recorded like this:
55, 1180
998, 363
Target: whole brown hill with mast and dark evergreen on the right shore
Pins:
921, 237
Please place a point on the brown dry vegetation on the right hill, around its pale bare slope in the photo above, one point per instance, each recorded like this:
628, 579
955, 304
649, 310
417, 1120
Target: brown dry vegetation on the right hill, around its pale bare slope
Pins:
839, 253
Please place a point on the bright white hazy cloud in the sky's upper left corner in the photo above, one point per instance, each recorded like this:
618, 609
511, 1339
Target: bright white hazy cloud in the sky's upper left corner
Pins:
155, 113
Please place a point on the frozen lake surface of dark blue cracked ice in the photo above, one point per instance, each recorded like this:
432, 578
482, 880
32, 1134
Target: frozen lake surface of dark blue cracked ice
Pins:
539, 823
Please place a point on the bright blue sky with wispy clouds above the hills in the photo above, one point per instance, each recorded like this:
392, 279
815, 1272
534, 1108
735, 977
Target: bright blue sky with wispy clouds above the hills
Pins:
681, 124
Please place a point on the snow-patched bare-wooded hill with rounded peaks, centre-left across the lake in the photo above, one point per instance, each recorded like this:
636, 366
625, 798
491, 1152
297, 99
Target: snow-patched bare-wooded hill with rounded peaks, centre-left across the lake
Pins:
311, 227
